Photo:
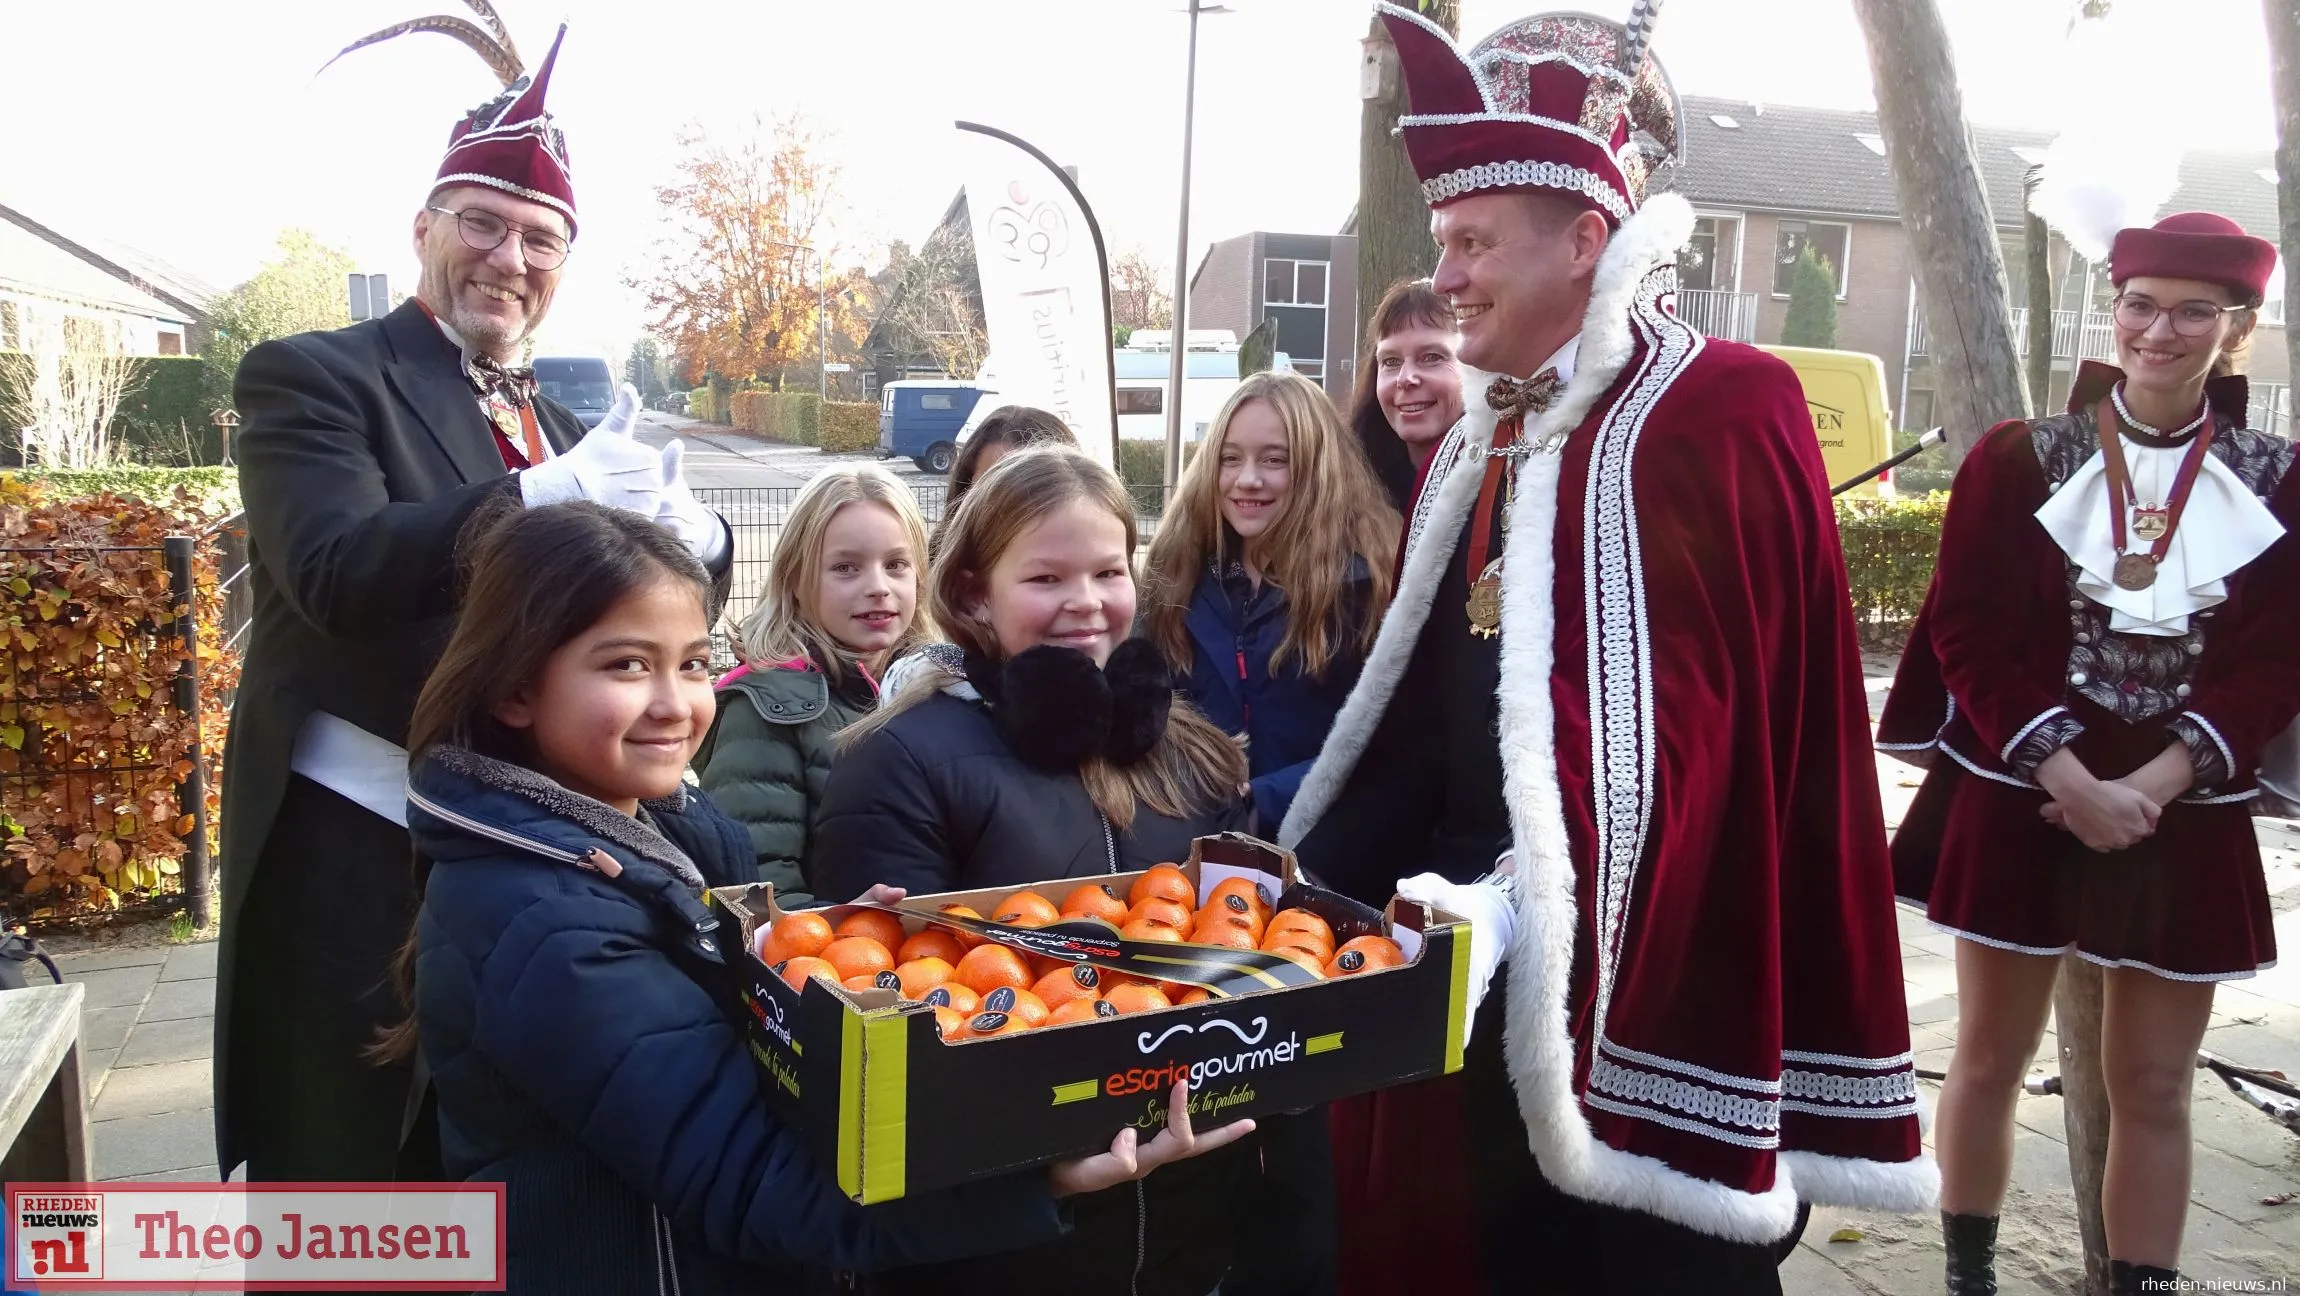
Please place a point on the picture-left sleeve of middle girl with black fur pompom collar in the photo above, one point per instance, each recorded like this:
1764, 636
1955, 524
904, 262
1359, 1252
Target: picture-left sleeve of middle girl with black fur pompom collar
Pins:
882, 821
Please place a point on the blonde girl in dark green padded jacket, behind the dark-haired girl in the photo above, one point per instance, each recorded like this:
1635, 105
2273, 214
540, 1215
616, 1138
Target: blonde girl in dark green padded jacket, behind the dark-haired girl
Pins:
838, 607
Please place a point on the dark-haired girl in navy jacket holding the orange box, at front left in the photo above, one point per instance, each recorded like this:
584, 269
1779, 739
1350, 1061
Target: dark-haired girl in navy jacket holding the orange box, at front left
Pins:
569, 996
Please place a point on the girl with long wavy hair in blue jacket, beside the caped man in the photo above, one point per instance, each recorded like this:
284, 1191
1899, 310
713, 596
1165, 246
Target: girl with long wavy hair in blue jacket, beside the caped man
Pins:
1271, 574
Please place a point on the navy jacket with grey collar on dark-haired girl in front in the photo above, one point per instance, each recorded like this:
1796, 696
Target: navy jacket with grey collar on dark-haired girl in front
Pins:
583, 1053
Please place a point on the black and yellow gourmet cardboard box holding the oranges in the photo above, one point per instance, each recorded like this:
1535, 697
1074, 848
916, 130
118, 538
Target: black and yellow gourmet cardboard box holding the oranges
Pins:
896, 1108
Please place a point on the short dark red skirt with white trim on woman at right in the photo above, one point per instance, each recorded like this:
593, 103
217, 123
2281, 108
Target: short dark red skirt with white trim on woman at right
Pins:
2188, 904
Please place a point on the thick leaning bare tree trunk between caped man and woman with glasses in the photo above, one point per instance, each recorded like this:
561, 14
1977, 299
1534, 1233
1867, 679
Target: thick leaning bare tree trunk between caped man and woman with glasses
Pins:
1958, 268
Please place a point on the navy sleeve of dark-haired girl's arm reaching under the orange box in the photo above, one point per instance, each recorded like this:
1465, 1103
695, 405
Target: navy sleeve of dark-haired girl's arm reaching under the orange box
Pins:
585, 1014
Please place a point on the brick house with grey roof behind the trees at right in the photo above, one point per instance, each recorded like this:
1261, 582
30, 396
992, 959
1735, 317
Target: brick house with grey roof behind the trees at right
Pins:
1768, 181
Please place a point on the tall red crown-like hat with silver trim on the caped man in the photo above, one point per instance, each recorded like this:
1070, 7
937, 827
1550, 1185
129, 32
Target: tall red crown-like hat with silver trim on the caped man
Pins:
1556, 105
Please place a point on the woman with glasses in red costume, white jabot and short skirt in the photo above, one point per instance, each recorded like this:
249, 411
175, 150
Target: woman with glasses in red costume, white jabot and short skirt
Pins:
2103, 655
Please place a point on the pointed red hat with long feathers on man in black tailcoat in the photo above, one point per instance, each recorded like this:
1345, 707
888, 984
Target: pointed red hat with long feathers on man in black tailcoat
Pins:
509, 142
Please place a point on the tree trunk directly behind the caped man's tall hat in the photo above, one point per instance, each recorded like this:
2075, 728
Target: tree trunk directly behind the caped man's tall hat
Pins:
1393, 220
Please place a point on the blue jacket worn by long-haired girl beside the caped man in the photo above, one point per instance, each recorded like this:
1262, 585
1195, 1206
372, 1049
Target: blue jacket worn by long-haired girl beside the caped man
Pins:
1285, 717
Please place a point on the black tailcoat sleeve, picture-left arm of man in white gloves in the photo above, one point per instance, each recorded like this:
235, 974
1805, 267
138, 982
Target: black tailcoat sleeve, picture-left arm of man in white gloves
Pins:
346, 556
